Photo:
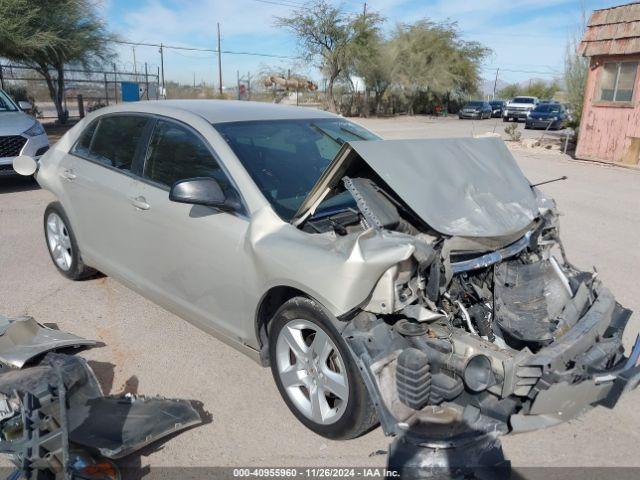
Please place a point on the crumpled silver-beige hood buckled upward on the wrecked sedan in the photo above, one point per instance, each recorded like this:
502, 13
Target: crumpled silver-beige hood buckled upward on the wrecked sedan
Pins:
468, 187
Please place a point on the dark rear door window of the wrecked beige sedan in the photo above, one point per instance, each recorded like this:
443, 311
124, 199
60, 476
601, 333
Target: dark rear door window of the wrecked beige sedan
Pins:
113, 140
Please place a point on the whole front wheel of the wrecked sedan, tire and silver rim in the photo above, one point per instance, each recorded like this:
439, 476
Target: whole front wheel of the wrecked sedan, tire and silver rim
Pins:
307, 326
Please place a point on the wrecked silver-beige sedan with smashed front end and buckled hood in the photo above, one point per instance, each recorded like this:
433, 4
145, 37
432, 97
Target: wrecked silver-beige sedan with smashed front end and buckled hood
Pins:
374, 289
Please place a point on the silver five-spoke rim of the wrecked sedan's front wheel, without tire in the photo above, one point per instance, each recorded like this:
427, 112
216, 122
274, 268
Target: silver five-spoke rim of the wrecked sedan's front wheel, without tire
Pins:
312, 371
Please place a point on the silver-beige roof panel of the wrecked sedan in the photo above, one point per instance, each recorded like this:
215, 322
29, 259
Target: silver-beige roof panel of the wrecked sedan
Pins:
221, 111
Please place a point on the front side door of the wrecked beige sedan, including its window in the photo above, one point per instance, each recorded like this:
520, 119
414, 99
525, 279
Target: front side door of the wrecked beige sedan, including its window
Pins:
191, 257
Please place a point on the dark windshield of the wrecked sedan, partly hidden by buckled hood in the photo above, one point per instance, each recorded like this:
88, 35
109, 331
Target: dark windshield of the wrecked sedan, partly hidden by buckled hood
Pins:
285, 158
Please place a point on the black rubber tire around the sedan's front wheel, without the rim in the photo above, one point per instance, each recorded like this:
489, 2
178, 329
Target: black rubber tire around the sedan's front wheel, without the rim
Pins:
360, 415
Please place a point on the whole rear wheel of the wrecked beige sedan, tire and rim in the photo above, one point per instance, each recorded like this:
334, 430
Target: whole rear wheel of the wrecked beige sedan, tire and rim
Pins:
62, 244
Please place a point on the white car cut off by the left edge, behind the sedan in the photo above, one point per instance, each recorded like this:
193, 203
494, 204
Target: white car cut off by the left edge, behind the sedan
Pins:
20, 133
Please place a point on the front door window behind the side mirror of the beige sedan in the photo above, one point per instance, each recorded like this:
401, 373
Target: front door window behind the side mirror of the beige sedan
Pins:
176, 153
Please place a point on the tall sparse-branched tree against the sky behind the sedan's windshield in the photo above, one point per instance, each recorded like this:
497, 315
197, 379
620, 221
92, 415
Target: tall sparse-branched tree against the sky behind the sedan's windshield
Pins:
326, 32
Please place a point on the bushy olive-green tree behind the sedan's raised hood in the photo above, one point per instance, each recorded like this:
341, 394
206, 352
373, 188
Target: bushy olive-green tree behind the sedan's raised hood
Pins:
431, 57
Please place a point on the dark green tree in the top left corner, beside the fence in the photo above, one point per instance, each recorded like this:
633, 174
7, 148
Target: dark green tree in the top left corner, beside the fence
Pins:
48, 35
